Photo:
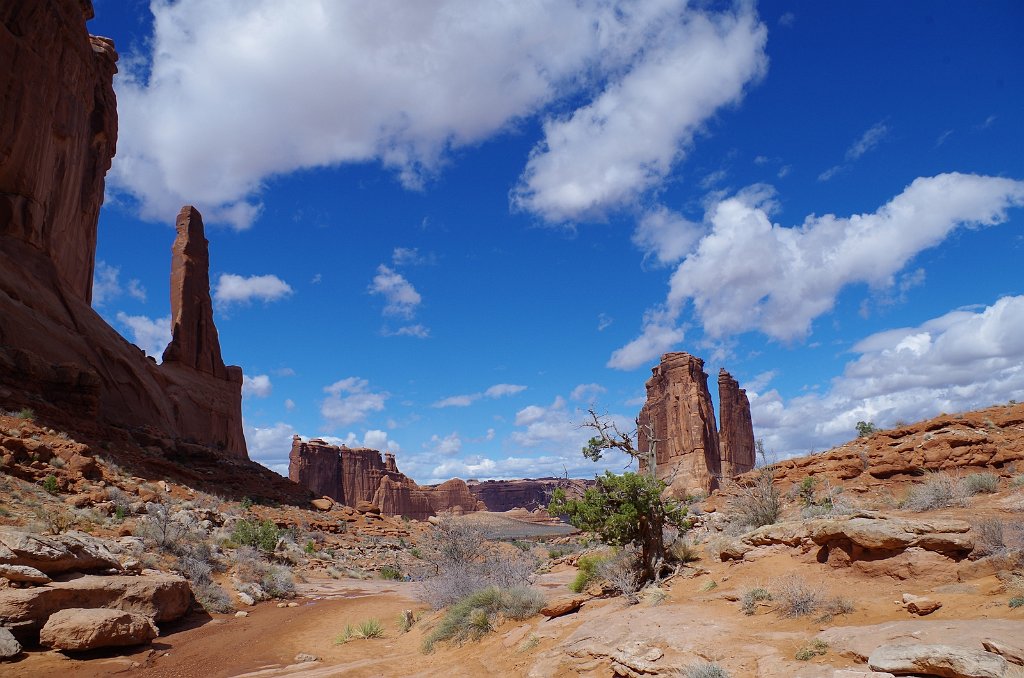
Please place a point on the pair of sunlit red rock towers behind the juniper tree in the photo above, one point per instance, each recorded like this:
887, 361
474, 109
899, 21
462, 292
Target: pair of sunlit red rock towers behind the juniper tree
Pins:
692, 455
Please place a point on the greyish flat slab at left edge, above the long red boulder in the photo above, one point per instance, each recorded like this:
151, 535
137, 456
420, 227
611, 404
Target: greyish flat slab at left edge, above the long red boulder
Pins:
58, 554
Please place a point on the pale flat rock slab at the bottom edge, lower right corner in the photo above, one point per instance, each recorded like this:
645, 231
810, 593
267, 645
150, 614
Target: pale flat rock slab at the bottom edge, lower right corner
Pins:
937, 660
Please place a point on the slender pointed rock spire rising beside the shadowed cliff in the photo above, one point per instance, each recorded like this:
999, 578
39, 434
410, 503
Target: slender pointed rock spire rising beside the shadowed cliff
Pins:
194, 336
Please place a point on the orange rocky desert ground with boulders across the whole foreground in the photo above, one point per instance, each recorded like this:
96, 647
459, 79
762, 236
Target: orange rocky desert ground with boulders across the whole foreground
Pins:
901, 555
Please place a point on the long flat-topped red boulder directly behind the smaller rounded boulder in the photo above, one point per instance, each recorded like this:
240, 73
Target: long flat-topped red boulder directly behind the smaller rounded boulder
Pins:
160, 597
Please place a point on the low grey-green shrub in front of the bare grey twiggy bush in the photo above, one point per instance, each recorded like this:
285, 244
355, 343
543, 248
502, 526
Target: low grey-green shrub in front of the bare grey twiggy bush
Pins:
479, 613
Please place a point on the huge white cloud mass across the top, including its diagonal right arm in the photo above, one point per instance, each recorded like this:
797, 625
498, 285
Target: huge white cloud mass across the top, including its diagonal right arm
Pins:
231, 94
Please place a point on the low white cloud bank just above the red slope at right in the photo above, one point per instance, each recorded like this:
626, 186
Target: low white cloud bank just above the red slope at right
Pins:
961, 361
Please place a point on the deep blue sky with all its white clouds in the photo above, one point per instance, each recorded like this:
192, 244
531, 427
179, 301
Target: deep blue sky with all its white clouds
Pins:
447, 229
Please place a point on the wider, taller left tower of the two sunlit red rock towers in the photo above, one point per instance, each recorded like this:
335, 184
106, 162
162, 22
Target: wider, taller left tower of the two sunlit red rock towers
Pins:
680, 409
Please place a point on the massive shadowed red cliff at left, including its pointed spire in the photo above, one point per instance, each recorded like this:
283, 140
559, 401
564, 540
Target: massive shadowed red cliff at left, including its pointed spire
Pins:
59, 357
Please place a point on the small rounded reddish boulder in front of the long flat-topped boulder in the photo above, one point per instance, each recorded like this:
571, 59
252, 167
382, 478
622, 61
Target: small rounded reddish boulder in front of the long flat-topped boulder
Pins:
79, 629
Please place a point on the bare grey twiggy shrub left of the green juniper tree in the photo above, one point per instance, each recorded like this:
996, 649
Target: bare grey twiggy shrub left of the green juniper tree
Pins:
465, 563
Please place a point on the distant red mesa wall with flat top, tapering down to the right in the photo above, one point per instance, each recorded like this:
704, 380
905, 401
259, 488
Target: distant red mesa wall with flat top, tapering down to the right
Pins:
351, 477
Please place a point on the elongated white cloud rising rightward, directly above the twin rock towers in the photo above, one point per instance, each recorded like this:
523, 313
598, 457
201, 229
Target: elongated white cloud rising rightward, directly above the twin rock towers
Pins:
801, 270
